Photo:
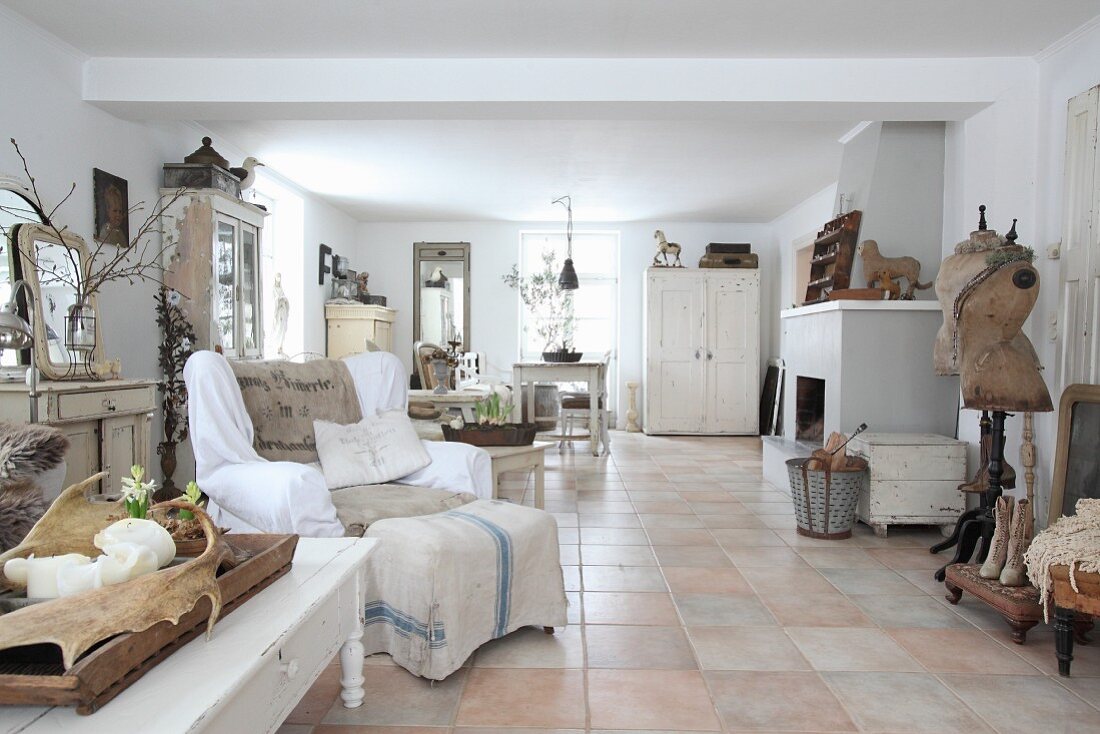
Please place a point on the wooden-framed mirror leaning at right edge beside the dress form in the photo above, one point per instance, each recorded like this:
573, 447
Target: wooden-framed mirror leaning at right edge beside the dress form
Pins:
1077, 456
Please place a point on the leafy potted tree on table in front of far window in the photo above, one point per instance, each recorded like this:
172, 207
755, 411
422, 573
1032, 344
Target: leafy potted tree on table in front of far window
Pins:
551, 305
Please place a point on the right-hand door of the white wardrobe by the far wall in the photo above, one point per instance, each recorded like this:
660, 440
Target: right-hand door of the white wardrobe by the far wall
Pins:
733, 339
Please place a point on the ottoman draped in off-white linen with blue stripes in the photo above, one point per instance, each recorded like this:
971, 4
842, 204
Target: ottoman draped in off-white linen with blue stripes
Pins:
438, 587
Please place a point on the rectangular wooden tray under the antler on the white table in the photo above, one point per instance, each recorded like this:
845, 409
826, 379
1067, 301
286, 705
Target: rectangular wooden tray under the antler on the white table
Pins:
35, 675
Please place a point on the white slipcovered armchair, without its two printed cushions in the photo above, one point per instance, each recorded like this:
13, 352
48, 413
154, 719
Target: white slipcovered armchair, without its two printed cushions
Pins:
251, 495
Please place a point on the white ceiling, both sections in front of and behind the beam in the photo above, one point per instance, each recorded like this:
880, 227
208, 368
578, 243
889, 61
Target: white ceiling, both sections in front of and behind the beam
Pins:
634, 165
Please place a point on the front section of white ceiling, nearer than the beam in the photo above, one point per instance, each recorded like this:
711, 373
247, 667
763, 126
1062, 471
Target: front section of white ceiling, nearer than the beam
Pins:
524, 29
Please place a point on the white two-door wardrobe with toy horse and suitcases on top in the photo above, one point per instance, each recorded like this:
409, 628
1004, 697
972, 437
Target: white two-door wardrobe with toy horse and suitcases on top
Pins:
702, 373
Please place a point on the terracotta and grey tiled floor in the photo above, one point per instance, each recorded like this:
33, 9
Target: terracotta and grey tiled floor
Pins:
696, 607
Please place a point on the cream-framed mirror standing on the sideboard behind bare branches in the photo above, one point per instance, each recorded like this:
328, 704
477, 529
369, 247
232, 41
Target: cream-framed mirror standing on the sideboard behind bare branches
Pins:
65, 348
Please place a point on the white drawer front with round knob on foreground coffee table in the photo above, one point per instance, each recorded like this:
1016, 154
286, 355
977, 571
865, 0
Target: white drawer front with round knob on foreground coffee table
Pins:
287, 672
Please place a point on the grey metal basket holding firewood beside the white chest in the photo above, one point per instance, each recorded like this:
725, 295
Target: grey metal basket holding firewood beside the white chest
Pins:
826, 502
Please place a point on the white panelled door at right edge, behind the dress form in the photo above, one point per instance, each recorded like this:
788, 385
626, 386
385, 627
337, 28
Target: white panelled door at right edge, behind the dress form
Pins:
1080, 309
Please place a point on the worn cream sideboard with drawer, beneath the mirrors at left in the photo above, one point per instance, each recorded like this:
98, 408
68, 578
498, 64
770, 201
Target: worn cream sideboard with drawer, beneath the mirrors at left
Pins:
107, 423
